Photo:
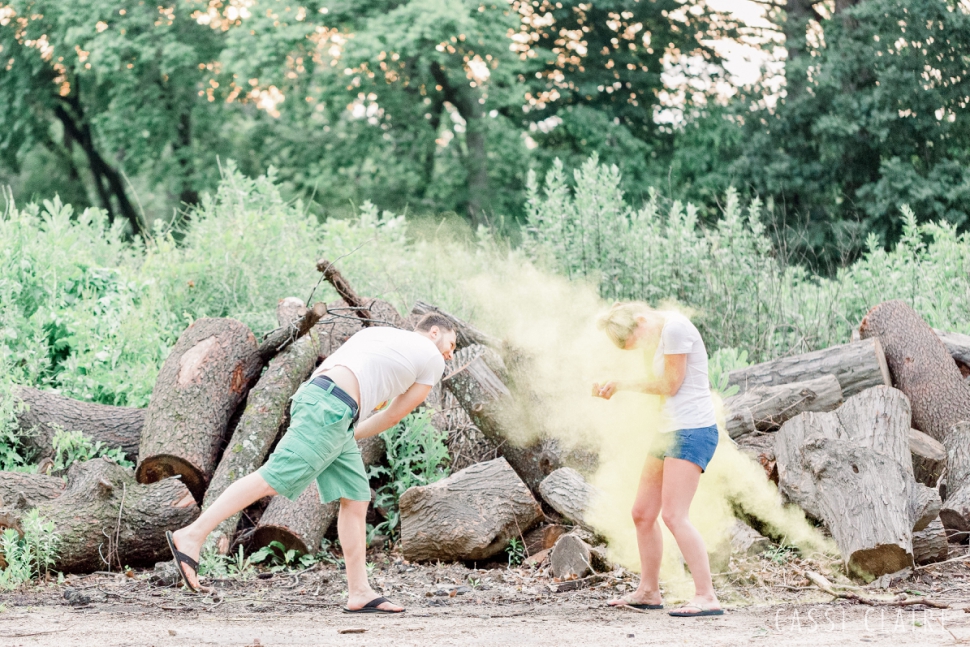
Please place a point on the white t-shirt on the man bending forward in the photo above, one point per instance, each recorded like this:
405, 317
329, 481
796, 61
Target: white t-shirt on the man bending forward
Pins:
386, 362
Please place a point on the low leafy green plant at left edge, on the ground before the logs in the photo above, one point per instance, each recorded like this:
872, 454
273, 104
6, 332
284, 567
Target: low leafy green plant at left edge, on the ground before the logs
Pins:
31, 555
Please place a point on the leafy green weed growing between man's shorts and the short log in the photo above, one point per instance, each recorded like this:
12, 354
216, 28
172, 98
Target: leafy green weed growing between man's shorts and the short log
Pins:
416, 455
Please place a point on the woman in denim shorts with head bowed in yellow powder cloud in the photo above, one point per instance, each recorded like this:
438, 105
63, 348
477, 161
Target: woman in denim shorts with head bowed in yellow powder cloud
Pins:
685, 446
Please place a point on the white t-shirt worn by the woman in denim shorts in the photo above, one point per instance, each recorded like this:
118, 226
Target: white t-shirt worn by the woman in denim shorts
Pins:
691, 406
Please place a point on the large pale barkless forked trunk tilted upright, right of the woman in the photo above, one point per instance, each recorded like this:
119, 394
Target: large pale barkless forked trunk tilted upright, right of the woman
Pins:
852, 469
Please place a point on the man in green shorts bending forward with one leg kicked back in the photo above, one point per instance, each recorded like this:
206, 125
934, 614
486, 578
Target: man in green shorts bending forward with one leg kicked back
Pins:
375, 367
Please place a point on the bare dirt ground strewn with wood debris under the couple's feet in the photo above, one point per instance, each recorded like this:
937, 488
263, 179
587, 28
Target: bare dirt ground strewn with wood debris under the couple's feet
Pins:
768, 604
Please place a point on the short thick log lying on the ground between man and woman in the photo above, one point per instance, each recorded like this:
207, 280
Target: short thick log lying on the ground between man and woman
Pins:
471, 515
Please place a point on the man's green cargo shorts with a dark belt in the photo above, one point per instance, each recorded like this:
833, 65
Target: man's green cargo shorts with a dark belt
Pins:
319, 445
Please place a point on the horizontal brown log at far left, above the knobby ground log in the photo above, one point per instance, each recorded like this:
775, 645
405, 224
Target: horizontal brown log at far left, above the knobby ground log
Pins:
116, 427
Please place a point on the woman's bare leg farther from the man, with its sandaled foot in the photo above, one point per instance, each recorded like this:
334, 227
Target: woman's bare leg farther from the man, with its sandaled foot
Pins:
680, 479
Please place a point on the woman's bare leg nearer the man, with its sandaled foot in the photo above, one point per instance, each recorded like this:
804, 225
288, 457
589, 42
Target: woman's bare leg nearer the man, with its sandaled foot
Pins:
646, 510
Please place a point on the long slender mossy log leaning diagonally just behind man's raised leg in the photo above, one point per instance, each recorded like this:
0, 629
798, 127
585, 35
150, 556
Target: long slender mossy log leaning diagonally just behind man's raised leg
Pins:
259, 426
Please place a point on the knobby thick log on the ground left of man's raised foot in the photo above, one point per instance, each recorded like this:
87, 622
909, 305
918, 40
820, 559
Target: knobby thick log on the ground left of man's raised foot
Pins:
106, 520
